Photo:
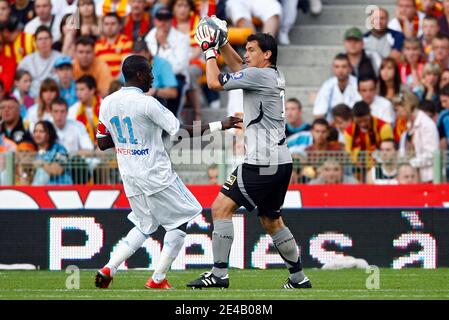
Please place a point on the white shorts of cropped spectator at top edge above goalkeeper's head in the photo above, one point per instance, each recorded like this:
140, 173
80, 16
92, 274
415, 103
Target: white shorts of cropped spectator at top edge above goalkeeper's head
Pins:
246, 9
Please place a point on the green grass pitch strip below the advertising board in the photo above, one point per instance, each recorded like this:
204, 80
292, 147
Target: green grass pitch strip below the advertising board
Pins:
412, 283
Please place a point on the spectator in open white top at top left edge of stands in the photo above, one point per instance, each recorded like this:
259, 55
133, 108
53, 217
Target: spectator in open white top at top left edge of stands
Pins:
44, 17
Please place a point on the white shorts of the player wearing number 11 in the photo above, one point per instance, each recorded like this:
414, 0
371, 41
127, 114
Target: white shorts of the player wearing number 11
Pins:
169, 208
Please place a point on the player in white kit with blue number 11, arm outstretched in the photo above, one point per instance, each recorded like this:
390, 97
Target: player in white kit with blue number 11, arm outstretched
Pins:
133, 122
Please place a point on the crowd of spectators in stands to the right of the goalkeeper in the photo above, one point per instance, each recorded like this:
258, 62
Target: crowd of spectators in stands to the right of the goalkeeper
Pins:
386, 104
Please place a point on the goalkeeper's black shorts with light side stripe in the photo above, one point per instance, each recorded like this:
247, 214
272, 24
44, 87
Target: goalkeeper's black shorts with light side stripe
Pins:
263, 187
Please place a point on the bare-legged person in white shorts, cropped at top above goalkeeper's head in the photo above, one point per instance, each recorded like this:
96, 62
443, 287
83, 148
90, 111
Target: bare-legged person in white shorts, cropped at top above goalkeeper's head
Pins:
241, 13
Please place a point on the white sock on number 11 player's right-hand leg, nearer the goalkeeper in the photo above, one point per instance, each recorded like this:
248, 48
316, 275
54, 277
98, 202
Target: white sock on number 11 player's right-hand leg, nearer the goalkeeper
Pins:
173, 242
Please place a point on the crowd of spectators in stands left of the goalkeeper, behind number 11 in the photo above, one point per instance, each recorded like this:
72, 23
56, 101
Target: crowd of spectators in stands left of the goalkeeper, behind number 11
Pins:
60, 58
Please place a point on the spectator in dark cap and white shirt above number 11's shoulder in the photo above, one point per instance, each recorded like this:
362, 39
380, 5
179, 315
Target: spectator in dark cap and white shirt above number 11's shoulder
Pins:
174, 46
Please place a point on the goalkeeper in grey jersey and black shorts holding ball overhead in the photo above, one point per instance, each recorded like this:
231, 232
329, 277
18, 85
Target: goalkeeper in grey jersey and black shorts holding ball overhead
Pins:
262, 180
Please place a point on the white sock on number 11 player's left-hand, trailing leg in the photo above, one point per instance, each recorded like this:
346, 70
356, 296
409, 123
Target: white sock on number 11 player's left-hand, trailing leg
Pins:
132, 242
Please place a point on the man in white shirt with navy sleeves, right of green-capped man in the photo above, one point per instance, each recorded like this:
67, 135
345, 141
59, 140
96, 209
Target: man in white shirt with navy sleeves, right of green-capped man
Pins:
381, 39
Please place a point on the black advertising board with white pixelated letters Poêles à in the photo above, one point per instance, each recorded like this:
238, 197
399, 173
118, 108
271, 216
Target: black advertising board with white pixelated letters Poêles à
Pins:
395, 238
